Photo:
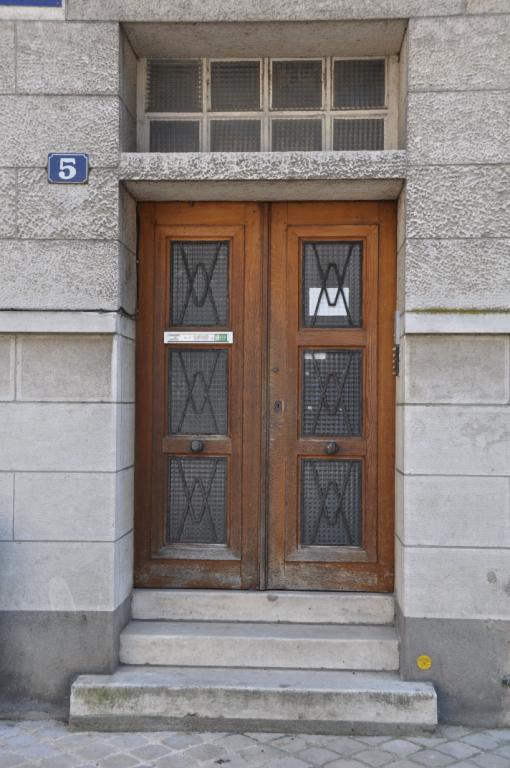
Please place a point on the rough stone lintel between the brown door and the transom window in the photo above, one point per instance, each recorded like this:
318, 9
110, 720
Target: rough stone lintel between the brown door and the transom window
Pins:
264, 175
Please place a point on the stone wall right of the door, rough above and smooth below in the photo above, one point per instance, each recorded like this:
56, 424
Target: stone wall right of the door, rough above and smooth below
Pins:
453, 465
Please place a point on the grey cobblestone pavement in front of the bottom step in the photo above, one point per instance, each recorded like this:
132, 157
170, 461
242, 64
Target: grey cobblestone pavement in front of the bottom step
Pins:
52, 745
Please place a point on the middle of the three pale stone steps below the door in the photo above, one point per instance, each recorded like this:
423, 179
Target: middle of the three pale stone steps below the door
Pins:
228, 644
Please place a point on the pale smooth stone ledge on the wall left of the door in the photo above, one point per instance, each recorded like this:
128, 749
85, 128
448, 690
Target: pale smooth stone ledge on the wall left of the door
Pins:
14, 321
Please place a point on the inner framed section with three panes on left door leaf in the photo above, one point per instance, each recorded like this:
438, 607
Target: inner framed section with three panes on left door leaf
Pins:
199, 492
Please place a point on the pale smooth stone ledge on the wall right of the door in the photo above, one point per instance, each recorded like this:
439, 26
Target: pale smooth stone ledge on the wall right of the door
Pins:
456, 322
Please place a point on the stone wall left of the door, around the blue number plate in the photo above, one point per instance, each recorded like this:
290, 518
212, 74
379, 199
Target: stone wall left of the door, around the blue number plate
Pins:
66, 354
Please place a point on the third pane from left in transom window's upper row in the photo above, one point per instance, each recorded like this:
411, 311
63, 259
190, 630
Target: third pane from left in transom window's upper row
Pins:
296, 85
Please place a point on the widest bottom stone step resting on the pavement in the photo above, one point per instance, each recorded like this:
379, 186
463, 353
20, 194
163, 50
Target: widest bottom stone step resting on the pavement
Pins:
141, 698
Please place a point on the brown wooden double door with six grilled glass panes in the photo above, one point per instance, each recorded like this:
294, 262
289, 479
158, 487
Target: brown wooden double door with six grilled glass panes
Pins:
265, 396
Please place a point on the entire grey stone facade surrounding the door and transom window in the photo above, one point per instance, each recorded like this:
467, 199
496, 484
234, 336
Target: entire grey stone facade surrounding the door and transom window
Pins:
68, 302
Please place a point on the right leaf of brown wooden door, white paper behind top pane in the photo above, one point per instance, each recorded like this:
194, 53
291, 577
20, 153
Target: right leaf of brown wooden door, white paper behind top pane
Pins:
330, 488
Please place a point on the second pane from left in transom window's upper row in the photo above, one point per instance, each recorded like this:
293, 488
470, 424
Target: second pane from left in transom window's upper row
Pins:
235, 86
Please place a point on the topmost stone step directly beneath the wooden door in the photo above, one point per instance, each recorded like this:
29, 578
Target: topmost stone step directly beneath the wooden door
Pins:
298, 607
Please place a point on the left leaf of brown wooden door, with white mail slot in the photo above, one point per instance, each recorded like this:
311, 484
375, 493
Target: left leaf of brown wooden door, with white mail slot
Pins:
199, 400
